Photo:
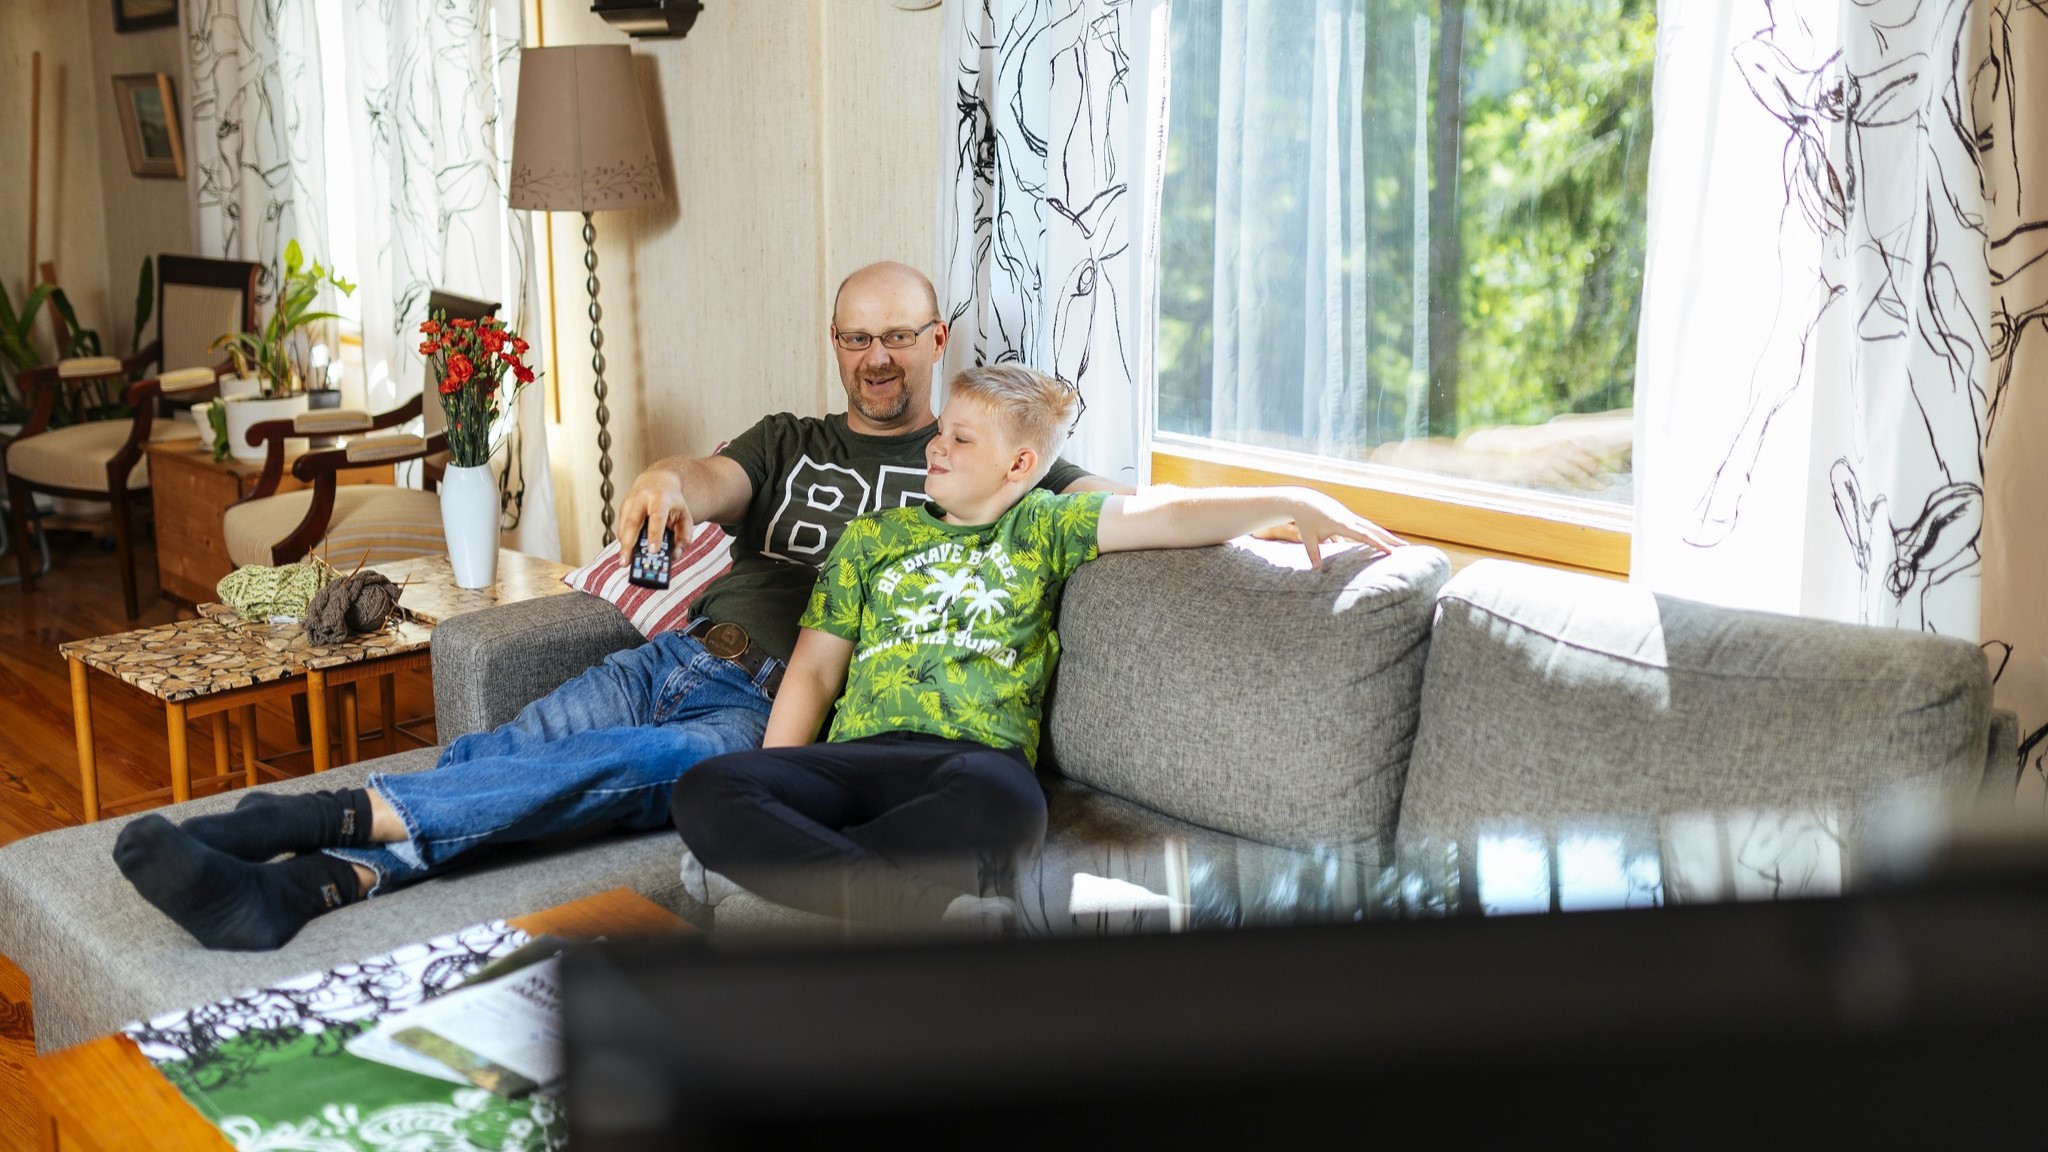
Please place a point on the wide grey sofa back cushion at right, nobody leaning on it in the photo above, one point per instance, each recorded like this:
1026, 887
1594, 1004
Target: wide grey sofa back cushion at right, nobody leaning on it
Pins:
1555, 696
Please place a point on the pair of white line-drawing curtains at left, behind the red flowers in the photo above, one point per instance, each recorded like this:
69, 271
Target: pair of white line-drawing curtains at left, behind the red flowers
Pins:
427, 114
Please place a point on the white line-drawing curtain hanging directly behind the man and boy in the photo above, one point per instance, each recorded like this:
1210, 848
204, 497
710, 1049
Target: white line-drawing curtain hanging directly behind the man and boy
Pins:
1056, 128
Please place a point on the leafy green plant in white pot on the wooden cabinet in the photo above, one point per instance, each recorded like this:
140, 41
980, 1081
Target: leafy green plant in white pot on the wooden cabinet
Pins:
271, 366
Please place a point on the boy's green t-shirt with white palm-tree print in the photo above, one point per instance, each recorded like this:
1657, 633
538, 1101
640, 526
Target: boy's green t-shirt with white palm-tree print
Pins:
953, 624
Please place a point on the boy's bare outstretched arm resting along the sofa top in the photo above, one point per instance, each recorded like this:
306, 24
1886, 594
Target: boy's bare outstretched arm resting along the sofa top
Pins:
1193, 518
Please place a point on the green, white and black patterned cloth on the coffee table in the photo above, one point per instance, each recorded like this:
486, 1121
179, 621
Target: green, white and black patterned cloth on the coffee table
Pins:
271, 1071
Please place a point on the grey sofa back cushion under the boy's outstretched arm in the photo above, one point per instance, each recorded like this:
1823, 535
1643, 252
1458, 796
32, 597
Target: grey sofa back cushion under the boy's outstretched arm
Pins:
1240, 692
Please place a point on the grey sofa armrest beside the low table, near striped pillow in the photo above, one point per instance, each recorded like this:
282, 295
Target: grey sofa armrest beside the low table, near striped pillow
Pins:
493, 663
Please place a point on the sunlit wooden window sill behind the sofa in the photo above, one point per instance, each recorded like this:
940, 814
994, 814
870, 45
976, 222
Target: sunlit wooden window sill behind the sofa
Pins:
1461, 516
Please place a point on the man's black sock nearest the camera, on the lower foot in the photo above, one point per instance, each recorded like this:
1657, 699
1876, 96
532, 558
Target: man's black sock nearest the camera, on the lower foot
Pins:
224, 903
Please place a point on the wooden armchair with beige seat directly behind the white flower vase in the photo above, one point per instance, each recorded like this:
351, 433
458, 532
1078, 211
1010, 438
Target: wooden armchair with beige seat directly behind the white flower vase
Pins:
351, 524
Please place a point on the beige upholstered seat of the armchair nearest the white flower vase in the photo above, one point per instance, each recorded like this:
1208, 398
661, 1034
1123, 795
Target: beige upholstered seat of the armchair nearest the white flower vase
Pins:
372, 524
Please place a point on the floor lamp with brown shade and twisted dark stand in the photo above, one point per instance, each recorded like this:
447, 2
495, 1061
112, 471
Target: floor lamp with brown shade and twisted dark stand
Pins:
583, 145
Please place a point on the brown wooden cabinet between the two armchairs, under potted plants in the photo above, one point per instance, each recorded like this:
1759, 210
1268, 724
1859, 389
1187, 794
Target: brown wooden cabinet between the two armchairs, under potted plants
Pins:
191, 493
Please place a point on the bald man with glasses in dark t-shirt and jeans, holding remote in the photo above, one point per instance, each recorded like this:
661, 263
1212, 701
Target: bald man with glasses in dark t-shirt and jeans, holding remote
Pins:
609, 745
